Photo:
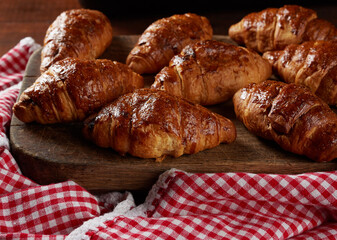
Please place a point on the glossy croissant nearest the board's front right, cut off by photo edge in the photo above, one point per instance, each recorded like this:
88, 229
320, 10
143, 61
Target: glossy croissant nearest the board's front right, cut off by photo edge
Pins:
291, 115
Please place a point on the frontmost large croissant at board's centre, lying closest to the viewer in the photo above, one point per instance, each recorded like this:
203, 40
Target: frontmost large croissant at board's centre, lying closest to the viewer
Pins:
152, 124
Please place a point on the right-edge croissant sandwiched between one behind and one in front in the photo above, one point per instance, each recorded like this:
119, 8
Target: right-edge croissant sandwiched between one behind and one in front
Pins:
312, 63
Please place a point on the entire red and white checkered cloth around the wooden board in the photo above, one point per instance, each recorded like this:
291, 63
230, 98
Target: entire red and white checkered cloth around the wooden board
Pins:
180, 205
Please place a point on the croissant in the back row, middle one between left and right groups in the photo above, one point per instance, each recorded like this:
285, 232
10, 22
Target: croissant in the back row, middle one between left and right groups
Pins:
165, 38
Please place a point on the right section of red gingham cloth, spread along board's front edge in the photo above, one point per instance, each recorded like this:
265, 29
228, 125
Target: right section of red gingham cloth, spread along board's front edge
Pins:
230, 206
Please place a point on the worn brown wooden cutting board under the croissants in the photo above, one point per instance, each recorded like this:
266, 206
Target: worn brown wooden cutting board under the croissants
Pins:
58, 152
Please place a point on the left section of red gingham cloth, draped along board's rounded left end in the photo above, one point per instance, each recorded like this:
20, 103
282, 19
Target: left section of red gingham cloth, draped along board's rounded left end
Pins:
28, 210
